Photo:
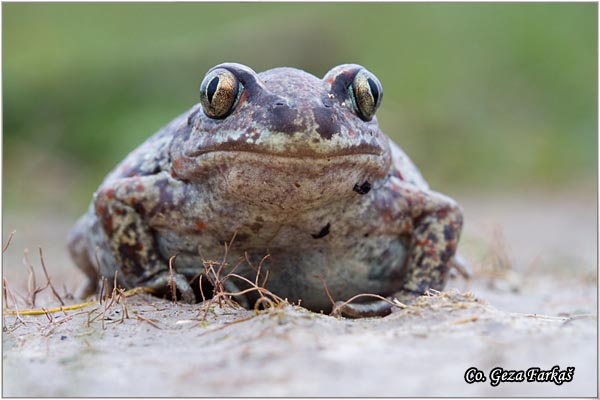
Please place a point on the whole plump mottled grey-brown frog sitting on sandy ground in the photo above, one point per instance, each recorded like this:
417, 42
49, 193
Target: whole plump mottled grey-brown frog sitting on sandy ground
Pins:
288, 171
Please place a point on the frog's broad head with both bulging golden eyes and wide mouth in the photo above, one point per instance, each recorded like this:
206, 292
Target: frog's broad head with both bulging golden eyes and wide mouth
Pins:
286, 129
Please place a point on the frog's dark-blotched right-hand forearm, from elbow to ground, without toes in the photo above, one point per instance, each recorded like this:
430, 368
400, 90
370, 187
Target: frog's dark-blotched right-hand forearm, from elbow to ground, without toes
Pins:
434, 224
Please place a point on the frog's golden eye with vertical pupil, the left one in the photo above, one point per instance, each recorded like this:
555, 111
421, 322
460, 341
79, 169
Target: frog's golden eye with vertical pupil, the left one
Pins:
219, 92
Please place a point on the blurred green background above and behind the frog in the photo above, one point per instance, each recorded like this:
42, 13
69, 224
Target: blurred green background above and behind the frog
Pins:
483, 97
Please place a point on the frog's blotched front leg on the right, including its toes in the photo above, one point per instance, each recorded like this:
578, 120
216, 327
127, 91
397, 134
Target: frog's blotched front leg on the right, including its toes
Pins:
433, 223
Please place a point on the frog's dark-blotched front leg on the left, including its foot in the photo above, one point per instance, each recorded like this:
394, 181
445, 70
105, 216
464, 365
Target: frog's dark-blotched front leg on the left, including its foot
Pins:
123, 208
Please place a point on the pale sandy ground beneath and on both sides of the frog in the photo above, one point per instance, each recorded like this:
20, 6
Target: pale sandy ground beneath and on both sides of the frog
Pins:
532, 302
